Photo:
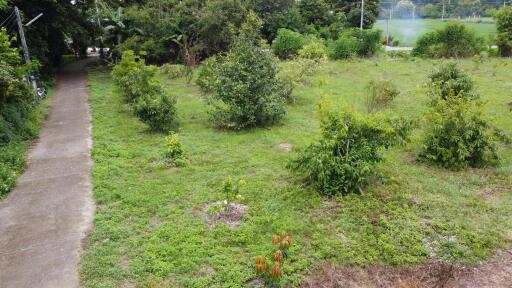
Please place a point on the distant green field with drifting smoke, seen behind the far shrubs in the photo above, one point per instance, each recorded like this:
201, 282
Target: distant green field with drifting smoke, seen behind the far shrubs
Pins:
408, 31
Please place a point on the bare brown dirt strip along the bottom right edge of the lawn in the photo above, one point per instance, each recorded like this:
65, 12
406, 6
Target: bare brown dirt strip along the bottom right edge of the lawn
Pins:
496, 273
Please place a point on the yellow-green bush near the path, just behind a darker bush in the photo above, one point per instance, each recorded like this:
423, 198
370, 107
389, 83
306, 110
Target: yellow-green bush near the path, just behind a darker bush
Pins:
134, 78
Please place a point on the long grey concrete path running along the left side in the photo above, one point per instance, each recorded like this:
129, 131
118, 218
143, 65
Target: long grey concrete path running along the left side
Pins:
44, 219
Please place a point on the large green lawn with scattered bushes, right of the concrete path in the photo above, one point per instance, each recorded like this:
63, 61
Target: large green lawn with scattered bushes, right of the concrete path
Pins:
151, 223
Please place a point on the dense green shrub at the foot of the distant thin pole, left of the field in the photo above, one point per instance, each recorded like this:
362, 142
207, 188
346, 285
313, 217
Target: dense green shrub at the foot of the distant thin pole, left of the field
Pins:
363, 43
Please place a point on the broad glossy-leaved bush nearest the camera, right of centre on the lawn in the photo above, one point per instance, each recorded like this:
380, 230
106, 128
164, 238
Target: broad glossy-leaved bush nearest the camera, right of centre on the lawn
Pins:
345, 157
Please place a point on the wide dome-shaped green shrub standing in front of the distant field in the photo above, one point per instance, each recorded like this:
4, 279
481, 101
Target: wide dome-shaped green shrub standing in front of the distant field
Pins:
453, 40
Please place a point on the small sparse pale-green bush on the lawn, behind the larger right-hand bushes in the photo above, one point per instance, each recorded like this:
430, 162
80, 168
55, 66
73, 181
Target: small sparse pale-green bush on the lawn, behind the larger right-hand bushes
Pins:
379, 94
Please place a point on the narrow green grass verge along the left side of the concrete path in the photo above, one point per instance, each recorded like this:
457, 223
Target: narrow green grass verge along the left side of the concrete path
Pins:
13, 154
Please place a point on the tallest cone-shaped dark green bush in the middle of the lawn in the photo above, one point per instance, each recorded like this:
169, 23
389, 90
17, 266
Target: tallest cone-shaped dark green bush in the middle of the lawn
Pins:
246, 90
